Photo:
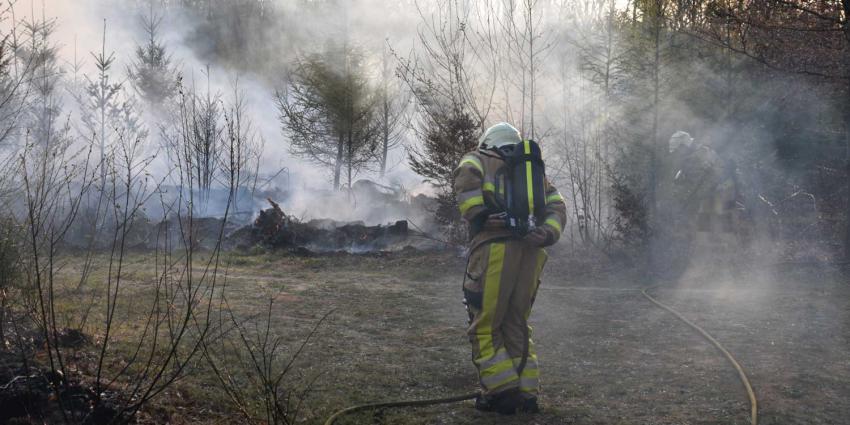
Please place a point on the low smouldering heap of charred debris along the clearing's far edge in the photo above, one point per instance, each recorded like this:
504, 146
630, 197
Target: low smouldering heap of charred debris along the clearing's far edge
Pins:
271, 228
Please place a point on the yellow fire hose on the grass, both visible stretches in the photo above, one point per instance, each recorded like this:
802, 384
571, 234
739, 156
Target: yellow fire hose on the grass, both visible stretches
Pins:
427, 402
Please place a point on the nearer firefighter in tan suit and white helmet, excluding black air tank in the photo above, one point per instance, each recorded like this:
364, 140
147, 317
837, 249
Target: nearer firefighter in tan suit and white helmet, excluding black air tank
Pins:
502, 277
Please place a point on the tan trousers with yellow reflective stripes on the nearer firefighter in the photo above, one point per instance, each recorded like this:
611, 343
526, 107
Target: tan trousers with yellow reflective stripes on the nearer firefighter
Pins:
501, 284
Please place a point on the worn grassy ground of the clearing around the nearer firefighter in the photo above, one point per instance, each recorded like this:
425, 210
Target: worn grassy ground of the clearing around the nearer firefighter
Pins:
397, 331
